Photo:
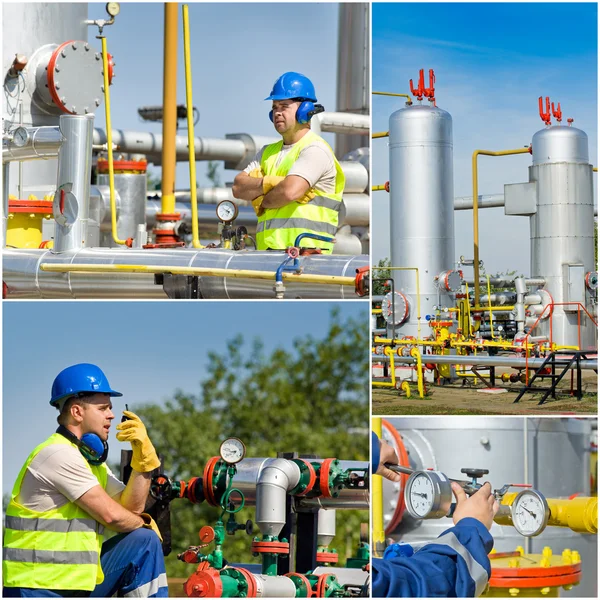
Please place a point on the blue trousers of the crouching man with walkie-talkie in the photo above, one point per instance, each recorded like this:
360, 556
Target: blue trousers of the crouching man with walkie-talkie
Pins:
133, 566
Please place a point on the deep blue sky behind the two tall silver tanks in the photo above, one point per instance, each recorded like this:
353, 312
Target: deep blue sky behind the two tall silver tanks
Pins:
492, 61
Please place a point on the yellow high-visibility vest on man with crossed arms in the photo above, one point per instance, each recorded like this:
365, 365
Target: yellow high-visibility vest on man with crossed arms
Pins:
278, 228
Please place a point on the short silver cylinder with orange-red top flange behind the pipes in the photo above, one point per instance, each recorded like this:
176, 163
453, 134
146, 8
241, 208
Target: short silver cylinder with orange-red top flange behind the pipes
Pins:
131, 185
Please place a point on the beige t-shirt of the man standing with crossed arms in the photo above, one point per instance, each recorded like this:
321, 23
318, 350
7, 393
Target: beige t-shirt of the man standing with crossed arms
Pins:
314, 163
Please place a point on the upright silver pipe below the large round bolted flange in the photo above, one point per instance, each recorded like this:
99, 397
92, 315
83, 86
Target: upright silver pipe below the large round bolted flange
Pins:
72, 198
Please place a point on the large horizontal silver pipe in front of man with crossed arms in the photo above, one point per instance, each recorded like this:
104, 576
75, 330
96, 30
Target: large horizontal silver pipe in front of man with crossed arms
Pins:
25, 279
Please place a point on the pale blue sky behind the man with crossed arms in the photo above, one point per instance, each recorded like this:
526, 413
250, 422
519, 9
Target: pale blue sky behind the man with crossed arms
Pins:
237, 52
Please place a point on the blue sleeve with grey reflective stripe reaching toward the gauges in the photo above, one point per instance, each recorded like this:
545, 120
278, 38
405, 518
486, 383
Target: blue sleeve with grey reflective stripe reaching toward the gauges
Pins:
454, 565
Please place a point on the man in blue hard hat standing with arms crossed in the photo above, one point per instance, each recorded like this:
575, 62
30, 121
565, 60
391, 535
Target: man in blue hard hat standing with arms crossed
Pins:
296, 184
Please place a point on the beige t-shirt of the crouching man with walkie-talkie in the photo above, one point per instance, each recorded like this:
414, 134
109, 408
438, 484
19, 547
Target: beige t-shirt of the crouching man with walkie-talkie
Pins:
58, 475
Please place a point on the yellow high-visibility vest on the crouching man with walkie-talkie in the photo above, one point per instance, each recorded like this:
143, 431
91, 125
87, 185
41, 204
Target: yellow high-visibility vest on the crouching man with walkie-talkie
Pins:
57, 549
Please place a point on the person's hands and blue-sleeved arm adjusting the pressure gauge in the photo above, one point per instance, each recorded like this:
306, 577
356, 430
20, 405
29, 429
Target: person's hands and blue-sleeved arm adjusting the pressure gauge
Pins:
455, 564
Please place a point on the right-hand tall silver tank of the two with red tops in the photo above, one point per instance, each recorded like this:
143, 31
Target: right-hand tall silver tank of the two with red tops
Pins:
562, 230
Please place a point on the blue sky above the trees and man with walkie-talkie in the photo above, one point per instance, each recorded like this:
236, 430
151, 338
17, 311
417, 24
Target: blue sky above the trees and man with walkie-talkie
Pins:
146, 349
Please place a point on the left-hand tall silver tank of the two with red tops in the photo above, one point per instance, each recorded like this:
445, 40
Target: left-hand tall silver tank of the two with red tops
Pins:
421, 204
